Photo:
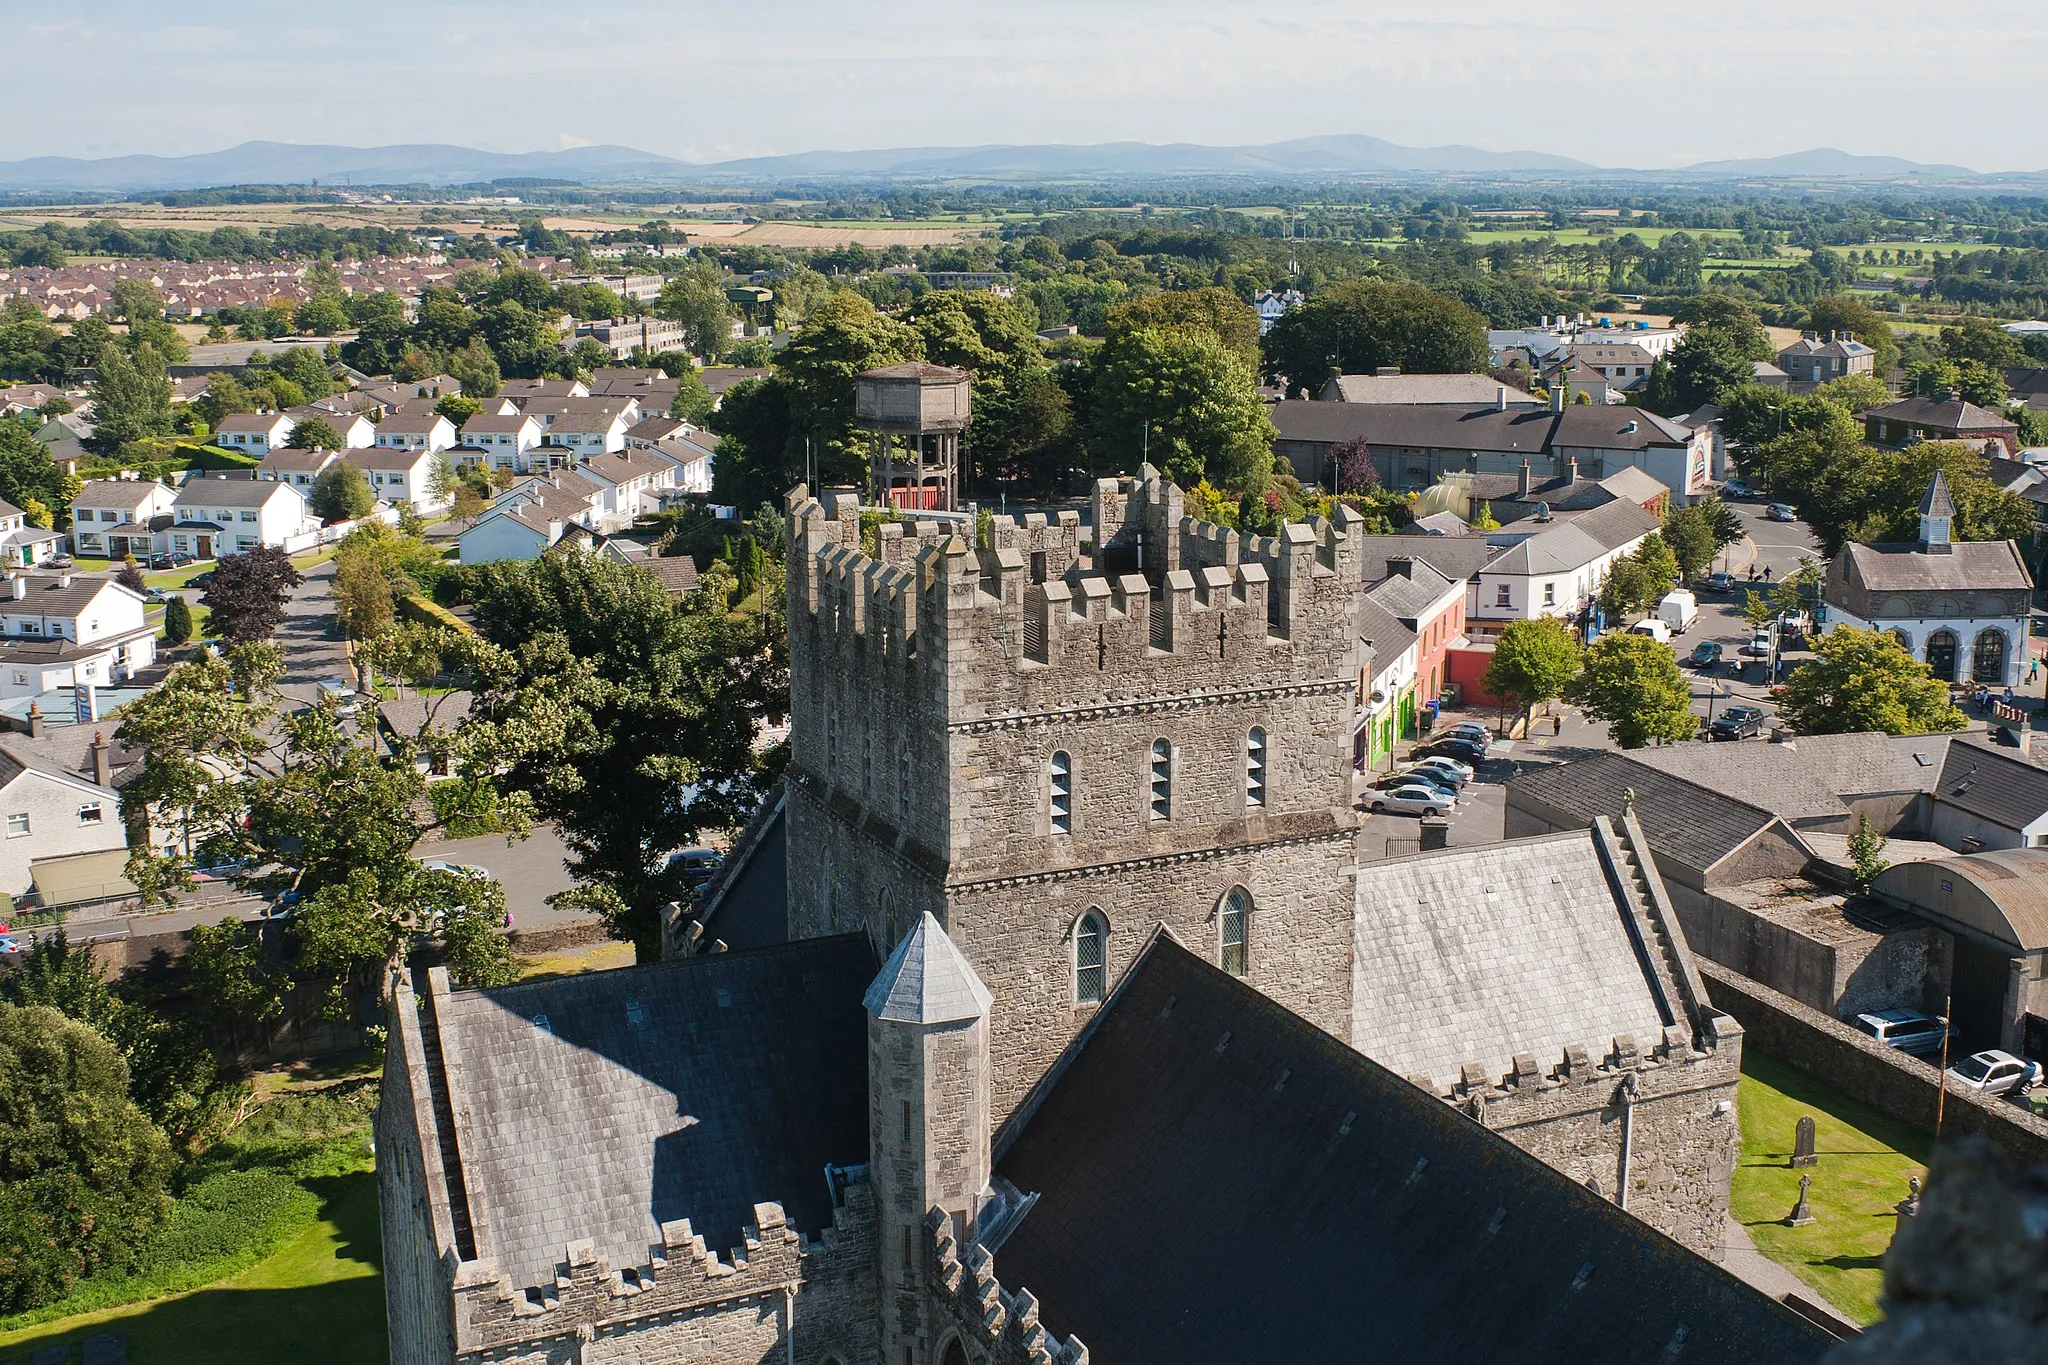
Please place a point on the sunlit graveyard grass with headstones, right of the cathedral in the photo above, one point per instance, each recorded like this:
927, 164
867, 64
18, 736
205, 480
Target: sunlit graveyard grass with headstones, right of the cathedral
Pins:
1863, 1174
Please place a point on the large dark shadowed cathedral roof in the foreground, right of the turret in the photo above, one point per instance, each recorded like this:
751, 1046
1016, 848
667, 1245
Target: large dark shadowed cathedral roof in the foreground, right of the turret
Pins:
1222, 1182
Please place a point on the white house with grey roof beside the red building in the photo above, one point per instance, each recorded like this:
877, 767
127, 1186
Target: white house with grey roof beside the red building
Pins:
1553, 570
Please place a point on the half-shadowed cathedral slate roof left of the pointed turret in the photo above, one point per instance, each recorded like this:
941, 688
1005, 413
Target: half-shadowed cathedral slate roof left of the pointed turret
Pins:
613, 1102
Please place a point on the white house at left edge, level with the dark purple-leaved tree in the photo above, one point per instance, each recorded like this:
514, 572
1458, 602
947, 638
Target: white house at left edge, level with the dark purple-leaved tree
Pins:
60, 629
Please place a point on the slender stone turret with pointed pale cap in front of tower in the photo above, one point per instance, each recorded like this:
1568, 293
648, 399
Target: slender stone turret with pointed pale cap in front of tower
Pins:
929, 1120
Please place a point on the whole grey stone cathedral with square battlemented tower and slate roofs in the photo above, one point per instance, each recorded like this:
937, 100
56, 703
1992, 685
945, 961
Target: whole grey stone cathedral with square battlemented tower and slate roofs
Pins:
1080, 1030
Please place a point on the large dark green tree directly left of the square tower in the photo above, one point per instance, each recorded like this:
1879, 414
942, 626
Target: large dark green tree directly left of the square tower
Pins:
660, 707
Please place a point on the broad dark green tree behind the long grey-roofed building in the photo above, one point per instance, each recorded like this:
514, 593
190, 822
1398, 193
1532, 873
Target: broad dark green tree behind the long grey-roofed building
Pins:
1365, 324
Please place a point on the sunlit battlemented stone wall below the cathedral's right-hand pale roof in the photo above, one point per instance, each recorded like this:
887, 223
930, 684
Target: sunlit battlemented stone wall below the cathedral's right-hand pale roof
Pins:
1676, 1104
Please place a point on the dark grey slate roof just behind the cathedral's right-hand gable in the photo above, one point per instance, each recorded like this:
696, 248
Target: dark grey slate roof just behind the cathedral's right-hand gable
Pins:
1684, 822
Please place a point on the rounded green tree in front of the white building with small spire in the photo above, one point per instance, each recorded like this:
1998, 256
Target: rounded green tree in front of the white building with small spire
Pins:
1865, 680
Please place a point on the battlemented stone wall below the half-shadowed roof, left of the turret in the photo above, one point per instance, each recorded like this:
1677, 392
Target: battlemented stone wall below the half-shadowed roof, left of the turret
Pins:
691, 1305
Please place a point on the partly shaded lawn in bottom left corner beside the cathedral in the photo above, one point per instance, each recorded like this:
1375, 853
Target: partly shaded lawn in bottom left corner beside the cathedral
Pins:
316, 1303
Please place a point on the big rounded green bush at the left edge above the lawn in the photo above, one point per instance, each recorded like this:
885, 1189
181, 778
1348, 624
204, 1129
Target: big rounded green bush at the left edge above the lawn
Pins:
83, 1170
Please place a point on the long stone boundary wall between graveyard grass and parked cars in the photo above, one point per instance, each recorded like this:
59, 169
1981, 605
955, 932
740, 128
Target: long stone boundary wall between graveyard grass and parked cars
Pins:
1883, 1077
